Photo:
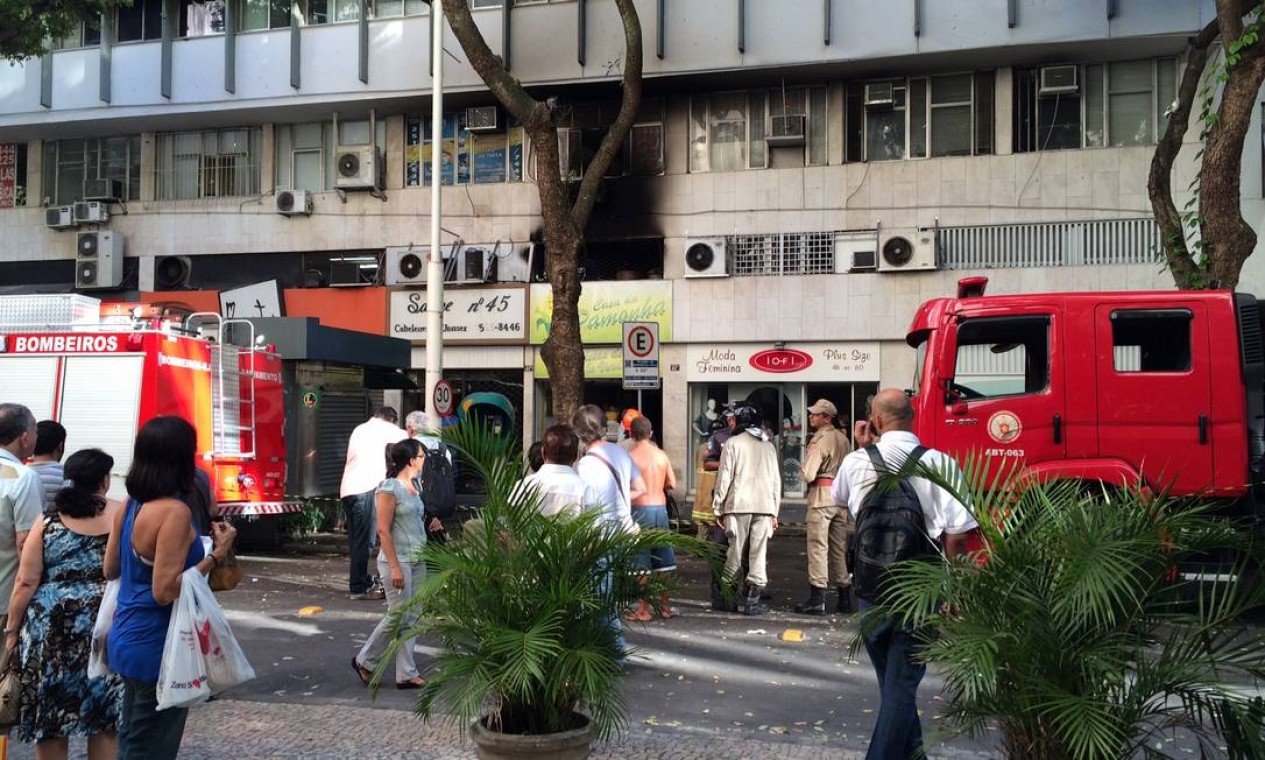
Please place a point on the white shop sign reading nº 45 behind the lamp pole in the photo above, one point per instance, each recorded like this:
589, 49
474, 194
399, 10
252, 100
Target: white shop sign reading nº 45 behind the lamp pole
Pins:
471, 316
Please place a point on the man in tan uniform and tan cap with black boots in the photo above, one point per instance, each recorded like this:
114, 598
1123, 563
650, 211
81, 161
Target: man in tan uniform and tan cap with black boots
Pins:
829, 524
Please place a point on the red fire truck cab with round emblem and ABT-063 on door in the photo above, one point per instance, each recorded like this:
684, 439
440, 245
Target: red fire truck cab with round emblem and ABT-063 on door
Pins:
1164, 388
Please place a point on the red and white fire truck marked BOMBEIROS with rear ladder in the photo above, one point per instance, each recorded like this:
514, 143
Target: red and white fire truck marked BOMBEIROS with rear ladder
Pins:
103, 383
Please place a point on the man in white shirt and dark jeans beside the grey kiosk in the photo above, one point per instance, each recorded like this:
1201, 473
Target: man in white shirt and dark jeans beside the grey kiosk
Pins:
366, 470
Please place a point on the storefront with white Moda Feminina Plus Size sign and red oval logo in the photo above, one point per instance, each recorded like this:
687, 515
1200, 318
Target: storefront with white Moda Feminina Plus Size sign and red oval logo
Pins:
781, 381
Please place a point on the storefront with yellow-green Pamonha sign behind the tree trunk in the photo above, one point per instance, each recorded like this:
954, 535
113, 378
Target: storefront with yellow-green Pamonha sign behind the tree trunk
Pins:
604, 308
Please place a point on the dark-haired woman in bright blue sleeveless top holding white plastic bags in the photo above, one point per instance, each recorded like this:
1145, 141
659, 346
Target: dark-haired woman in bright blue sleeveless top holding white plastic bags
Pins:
152, 544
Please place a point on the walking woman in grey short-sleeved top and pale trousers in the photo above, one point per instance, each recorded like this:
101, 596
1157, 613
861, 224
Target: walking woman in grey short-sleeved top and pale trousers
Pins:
402, 533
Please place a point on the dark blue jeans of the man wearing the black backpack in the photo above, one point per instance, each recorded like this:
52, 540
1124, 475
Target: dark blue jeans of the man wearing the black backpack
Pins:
892, 648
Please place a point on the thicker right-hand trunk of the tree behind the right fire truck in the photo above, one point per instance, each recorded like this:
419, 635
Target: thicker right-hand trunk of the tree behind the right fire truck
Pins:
1230, 240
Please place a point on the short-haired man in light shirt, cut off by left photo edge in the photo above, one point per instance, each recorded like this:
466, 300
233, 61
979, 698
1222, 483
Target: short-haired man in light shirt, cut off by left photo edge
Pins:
22, 496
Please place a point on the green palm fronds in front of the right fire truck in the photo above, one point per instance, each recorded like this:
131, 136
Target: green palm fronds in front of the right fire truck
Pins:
1075, 639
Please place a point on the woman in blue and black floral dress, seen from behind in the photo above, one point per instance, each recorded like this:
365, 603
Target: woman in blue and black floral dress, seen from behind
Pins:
55, 604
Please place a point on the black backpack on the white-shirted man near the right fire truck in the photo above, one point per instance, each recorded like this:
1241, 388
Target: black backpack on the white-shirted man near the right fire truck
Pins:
891, 529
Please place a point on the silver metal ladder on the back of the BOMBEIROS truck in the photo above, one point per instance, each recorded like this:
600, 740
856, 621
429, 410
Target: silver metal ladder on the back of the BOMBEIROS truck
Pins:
233, 414
